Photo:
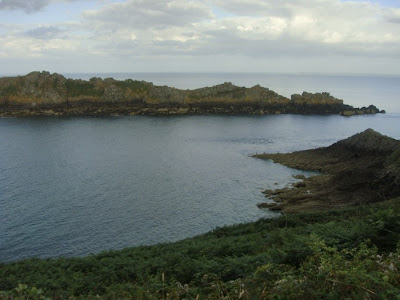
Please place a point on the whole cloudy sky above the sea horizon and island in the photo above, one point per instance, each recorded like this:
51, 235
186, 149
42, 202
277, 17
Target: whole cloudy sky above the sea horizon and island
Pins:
323, 36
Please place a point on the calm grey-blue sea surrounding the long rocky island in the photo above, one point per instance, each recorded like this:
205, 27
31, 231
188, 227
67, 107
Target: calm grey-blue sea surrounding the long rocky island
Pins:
76, 186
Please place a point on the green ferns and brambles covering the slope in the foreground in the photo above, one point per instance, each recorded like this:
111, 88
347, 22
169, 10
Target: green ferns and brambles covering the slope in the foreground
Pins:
353, 253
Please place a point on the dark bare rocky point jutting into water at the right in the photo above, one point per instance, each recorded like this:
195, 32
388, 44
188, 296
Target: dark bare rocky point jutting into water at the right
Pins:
361, 169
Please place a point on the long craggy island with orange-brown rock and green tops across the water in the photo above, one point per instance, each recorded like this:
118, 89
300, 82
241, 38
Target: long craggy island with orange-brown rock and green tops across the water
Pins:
43, 93
